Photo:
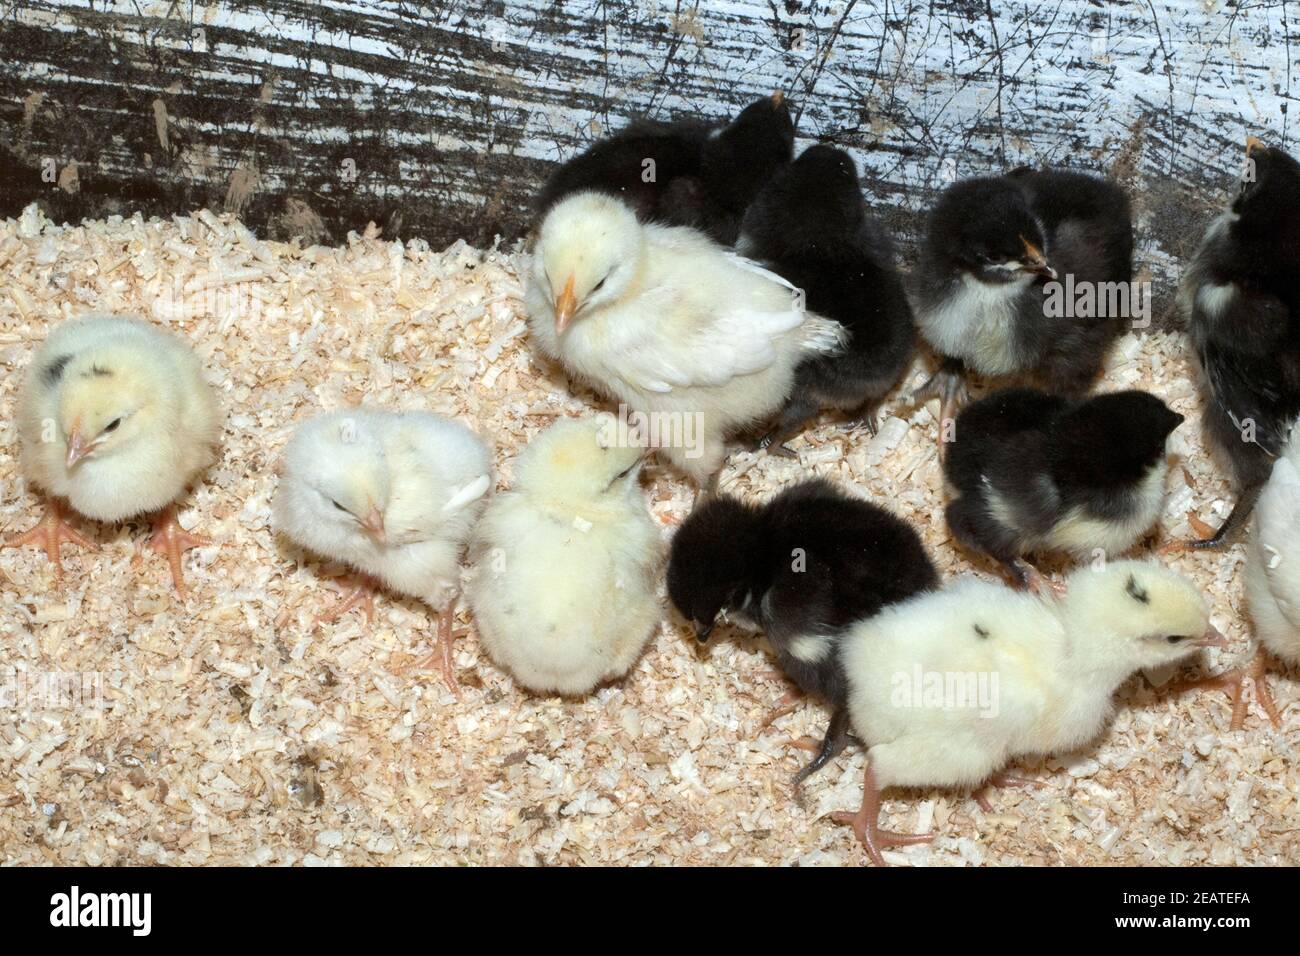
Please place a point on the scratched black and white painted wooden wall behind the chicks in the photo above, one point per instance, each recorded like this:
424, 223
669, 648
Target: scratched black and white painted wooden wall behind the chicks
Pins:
441, 119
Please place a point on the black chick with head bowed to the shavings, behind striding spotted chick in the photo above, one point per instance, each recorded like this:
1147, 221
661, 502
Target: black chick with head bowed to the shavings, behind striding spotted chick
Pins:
801, 569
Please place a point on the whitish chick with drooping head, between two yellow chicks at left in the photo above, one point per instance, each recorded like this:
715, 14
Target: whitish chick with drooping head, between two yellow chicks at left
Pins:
392, 495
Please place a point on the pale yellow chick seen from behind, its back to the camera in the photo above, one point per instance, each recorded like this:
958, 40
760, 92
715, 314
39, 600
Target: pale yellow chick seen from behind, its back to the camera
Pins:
564, 594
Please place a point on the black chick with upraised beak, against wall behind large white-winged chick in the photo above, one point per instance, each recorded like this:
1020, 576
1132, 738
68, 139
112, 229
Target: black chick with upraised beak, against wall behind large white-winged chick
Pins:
704, 175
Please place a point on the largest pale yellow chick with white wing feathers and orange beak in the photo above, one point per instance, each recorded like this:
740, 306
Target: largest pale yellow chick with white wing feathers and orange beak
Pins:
697, 339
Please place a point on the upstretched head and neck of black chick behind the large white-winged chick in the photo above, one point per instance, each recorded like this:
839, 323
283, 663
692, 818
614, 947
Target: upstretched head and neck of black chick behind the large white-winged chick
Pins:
736, 162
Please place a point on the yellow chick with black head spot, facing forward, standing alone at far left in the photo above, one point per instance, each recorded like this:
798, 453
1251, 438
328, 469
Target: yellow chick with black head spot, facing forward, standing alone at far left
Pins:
116, 418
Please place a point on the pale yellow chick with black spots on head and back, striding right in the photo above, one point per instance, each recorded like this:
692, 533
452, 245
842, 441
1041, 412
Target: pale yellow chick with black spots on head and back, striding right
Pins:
1056, 664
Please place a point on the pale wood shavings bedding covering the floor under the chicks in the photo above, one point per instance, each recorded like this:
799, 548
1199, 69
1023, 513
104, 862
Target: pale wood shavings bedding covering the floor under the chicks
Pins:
231, 732
